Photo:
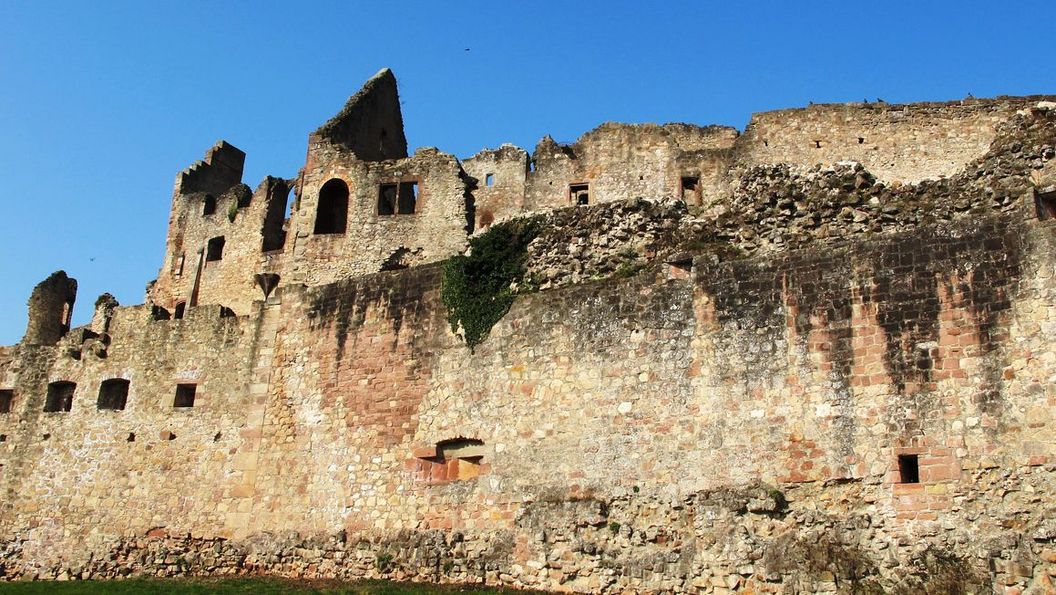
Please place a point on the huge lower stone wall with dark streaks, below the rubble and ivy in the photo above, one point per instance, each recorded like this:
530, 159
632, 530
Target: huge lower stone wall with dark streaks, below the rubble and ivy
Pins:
738, 429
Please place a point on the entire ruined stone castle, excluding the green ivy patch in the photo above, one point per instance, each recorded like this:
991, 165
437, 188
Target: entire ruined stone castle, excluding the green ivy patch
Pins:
813, 357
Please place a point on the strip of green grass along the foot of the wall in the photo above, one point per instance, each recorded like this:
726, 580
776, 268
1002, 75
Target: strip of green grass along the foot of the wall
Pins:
241, 586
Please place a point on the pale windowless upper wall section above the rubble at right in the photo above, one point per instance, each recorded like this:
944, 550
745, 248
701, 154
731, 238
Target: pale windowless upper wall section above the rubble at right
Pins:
904, 143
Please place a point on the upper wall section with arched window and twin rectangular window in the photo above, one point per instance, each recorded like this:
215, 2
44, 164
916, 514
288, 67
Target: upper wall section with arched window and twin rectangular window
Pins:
436, 231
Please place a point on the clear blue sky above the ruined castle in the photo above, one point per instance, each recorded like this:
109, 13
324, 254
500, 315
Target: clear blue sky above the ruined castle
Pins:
103, 103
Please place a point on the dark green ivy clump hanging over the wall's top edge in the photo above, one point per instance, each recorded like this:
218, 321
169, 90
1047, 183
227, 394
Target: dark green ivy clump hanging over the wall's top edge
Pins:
477, 288
